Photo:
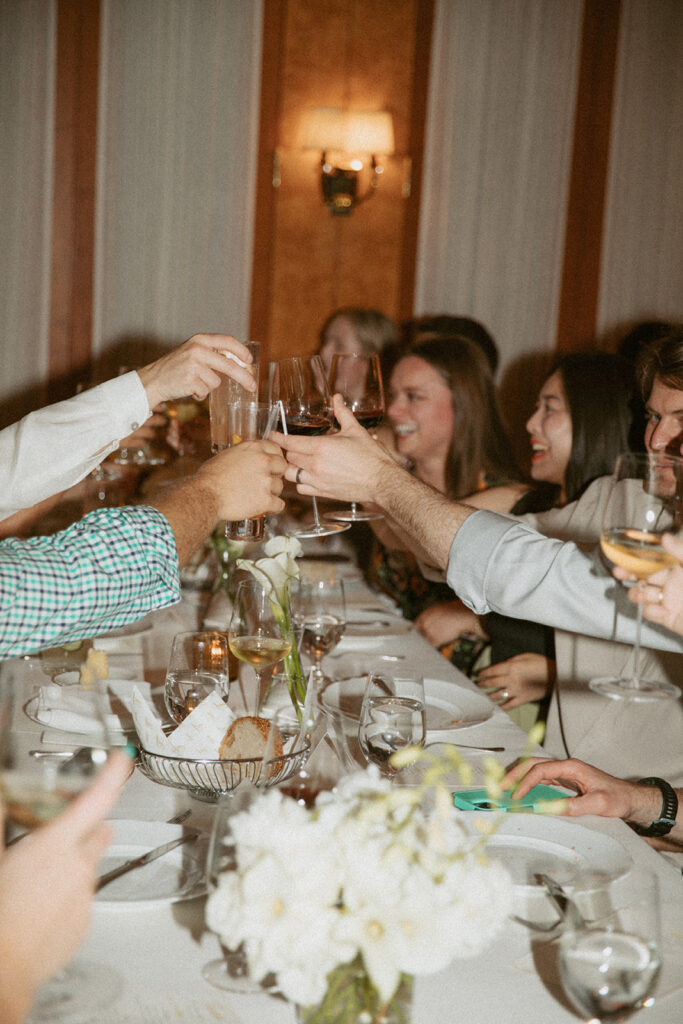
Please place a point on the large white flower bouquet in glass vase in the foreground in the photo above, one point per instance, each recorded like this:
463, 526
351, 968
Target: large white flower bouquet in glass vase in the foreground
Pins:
347, 902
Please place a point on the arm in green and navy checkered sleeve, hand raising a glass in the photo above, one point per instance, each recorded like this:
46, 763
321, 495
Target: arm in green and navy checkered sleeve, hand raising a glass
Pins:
117, 565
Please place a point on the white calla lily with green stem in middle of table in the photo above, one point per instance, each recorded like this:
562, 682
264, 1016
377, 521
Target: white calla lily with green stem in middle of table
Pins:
276, 572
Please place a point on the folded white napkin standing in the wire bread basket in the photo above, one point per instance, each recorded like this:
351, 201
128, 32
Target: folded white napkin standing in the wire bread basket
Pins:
200, 736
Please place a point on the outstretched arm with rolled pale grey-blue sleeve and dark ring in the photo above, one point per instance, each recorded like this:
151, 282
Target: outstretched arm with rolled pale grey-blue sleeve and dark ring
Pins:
495, 565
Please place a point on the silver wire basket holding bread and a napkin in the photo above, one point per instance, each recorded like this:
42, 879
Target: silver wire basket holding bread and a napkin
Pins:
208, 781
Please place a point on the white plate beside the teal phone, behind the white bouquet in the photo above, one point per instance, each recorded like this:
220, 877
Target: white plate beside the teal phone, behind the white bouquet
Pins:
531, 844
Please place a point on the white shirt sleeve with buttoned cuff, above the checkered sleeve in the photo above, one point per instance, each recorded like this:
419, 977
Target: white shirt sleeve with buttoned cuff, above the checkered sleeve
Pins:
55, 448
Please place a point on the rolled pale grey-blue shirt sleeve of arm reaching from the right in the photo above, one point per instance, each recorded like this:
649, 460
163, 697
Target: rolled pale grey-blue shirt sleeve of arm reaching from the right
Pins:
497, 565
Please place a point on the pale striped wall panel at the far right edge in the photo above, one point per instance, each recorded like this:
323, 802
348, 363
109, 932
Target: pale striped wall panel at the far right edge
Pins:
643, 258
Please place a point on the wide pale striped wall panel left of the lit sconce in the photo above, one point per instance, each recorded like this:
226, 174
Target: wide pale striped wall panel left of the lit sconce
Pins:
179, 118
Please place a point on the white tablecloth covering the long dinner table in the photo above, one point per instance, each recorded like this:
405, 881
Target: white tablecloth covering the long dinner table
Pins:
159, 952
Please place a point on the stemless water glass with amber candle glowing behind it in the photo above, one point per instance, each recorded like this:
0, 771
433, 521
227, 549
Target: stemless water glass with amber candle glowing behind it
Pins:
198, 666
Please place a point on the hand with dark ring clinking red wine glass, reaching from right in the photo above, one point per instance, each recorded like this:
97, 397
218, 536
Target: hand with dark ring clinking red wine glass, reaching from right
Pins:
347, 466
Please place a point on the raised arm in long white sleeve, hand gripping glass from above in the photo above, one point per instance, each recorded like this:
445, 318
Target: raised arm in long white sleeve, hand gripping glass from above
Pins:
55, 448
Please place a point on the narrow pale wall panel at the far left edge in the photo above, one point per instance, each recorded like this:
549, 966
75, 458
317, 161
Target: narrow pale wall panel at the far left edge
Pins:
27, 73
